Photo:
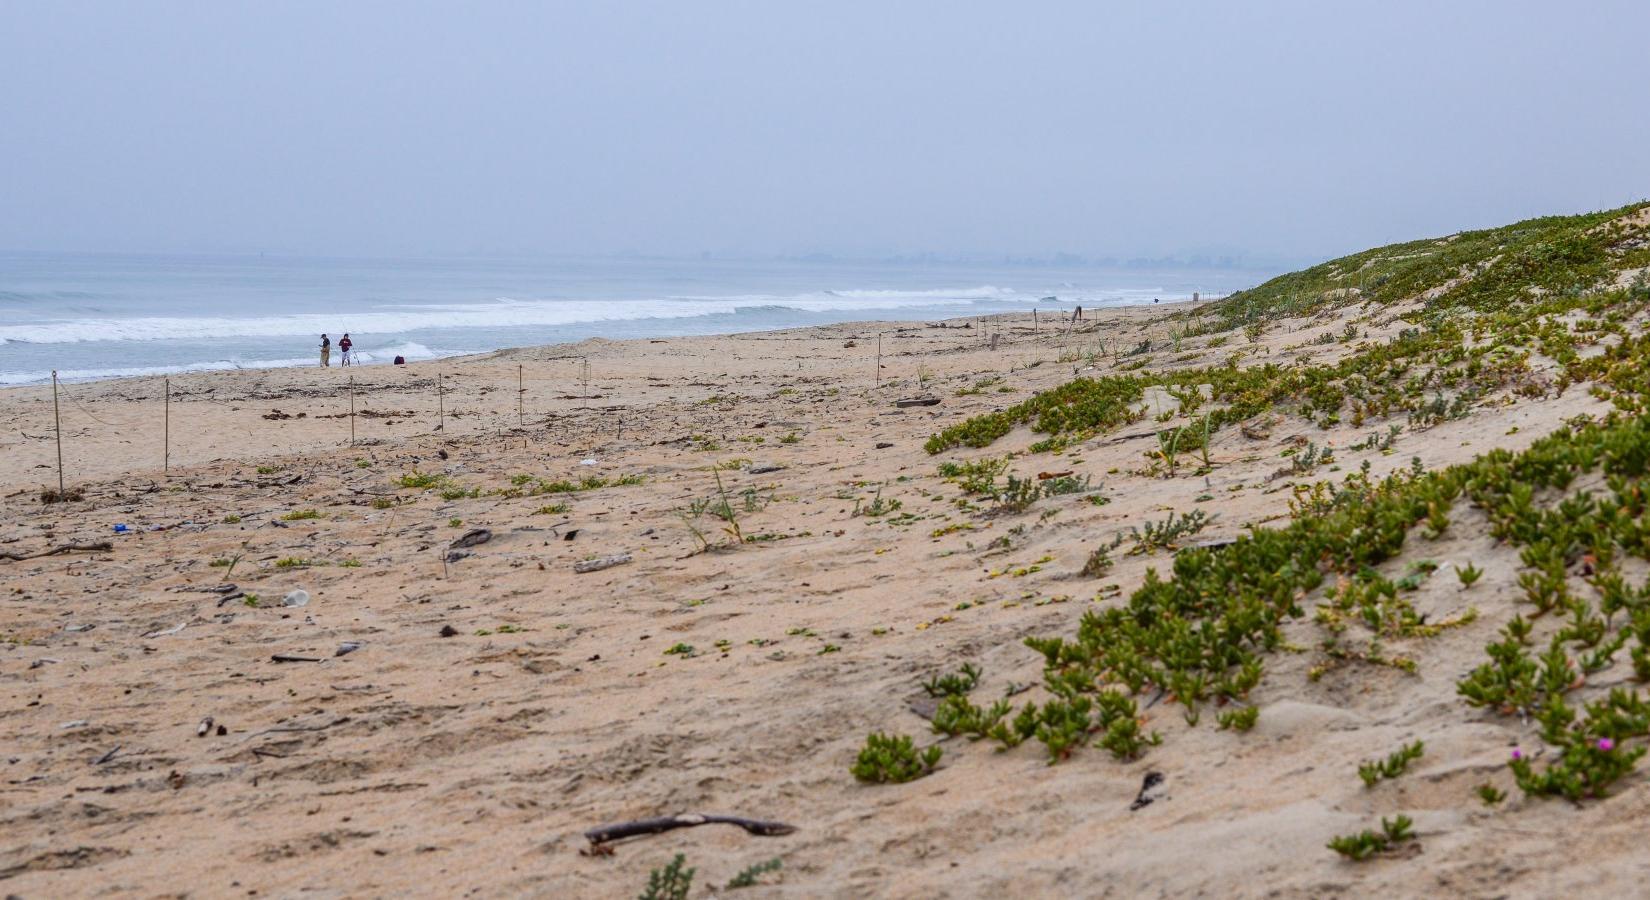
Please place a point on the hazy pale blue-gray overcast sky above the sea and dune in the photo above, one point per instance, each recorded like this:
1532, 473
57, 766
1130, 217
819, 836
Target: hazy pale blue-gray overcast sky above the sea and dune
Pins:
1288, 130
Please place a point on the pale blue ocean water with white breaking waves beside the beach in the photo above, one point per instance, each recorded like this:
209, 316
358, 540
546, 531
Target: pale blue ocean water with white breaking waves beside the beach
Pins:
100, 316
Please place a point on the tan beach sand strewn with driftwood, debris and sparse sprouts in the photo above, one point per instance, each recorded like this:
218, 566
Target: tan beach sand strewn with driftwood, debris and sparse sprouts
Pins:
471, 764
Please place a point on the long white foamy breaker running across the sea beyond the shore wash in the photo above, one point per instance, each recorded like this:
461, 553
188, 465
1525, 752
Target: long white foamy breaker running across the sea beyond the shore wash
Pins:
512, 315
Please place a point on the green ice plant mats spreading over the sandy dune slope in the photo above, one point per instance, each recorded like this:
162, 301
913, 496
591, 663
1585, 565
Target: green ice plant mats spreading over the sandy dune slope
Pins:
1463, 321
